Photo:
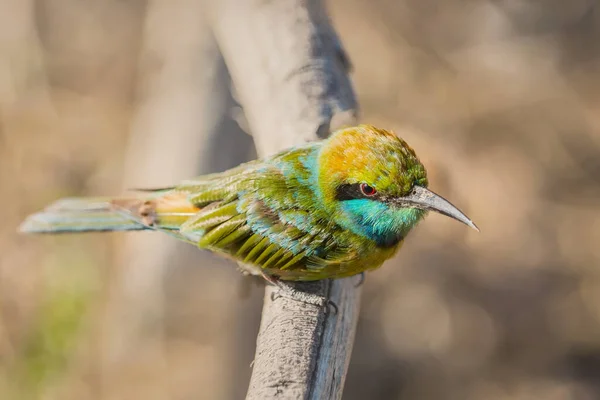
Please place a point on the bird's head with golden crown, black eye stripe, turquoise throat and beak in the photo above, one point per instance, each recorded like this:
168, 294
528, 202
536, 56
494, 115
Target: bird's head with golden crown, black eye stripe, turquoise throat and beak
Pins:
373, 184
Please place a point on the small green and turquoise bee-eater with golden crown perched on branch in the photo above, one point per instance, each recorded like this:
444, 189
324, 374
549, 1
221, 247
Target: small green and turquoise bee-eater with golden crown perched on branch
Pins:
326, 209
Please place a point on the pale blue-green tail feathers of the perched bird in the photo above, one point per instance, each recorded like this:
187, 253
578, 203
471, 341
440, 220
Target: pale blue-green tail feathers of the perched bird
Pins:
81, 215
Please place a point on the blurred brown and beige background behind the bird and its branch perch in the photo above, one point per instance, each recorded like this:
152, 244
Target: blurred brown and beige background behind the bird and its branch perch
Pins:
500, 99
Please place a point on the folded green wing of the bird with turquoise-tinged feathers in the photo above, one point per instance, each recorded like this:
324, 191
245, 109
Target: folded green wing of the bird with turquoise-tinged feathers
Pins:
263, 215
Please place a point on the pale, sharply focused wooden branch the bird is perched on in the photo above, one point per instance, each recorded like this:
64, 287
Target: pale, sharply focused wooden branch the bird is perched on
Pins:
291, 77
